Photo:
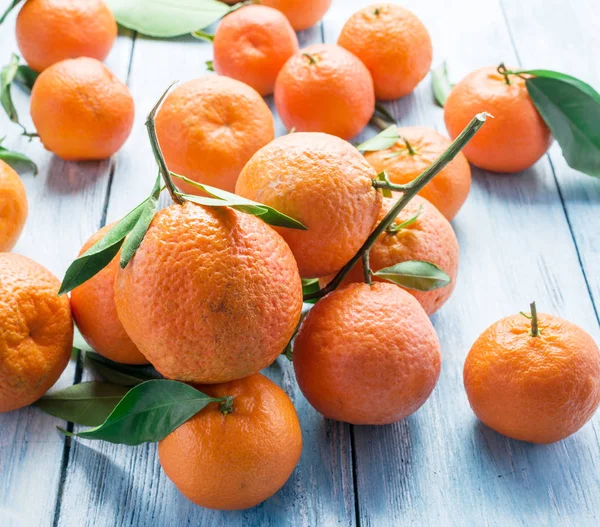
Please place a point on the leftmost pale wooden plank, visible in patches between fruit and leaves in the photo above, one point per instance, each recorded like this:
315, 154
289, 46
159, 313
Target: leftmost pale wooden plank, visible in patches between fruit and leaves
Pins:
66, 205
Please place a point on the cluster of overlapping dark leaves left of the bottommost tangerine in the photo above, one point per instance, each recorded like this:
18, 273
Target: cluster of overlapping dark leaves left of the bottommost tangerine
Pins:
134, 405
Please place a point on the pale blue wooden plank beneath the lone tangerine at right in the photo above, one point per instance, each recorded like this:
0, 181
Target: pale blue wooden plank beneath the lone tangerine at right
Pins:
440, 466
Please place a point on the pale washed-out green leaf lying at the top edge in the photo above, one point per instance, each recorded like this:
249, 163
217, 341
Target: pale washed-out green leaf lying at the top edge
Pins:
167, 18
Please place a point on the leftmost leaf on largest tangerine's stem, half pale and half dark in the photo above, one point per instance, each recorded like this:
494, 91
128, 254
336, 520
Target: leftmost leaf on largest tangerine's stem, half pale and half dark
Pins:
99, 255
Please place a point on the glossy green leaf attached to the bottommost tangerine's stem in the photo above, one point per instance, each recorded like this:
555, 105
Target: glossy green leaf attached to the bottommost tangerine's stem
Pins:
148, 413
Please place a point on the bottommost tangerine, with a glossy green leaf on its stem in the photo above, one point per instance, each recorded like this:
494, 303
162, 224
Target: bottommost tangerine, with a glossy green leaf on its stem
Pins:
235, 460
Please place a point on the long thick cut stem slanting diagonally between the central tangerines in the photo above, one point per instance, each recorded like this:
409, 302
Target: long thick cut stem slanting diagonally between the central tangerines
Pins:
409, 193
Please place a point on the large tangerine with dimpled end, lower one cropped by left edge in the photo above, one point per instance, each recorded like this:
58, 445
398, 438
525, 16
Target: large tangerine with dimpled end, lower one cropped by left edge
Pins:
36, 331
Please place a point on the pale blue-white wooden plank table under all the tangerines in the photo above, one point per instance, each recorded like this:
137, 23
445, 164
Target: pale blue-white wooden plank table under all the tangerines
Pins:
527, 236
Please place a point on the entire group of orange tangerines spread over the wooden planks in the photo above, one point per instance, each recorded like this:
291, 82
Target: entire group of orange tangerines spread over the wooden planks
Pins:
213, 294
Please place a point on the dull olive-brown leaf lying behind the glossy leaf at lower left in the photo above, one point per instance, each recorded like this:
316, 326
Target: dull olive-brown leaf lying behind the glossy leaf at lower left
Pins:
88, 403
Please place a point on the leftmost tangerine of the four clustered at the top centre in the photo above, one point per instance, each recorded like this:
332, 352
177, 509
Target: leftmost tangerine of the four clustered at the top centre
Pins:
252, 44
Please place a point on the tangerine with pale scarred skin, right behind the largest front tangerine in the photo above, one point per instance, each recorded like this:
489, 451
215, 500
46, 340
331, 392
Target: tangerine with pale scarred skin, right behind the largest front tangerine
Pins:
323, 182
